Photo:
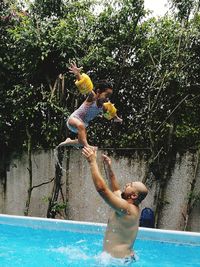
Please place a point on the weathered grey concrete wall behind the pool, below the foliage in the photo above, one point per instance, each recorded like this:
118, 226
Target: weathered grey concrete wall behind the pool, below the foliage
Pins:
84, 202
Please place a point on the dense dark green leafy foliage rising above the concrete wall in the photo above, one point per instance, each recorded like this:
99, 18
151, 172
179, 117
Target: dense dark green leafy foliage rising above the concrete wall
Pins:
153, 64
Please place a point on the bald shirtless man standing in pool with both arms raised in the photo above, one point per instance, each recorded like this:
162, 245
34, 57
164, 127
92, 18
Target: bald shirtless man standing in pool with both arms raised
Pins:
123, 222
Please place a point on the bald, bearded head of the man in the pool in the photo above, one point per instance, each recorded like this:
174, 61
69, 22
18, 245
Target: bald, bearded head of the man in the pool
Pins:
135, 191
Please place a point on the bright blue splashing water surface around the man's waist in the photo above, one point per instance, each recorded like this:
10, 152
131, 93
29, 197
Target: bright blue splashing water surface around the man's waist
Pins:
24, 246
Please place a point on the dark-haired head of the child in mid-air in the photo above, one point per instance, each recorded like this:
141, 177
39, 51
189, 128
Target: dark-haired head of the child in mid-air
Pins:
103, 89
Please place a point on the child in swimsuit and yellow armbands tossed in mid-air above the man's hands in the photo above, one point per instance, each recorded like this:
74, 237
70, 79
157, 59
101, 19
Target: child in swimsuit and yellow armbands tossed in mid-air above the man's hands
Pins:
96, 102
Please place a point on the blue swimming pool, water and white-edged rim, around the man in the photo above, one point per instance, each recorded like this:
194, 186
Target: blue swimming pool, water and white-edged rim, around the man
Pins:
37, 242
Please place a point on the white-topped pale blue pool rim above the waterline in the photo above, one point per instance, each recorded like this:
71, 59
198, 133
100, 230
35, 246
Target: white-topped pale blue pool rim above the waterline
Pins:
89, 227
